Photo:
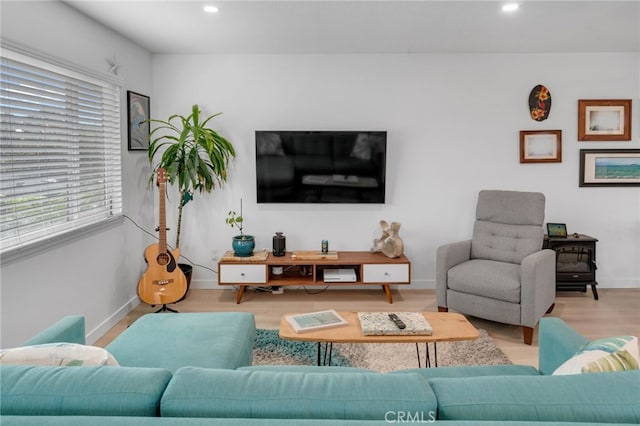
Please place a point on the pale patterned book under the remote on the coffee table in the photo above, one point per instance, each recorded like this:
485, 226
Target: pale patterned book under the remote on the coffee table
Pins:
379, 324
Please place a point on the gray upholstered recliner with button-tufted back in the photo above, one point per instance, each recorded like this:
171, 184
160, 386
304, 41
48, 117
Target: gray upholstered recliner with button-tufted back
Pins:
501, 274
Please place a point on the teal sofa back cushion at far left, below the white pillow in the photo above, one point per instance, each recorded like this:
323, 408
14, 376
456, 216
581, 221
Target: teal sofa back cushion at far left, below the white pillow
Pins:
96, 391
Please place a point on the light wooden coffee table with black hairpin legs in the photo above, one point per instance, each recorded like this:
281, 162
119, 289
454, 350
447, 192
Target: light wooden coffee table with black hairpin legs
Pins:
447, 327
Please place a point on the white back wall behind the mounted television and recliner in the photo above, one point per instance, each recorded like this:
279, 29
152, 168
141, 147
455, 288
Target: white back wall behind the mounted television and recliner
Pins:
453, 124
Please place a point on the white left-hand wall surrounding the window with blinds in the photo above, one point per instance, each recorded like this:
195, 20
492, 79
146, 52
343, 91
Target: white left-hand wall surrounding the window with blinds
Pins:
97, 275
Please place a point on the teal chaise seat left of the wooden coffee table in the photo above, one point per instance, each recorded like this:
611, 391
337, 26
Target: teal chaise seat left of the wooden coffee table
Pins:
212, 340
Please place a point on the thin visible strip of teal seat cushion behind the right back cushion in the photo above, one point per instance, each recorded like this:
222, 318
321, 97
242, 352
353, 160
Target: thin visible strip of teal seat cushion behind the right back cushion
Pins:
471, 371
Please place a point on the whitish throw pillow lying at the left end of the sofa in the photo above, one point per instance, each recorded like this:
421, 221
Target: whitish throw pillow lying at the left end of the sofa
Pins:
57, 354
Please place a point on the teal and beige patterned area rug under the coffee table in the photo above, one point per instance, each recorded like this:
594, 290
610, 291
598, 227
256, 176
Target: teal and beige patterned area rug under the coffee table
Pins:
271, 349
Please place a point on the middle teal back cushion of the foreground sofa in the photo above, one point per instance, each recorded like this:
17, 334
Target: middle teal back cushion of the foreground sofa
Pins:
198, 392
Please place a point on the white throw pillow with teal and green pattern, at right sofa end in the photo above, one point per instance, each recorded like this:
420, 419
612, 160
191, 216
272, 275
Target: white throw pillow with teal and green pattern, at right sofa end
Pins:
609, 354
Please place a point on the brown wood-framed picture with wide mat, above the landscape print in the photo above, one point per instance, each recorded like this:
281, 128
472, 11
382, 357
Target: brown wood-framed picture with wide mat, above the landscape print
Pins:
604, 119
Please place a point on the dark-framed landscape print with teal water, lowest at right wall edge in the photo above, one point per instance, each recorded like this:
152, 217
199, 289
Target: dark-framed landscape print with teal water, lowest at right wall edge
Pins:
610, 167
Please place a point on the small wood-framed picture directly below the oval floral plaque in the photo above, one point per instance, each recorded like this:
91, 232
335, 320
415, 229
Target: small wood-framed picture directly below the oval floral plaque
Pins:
541, 146
